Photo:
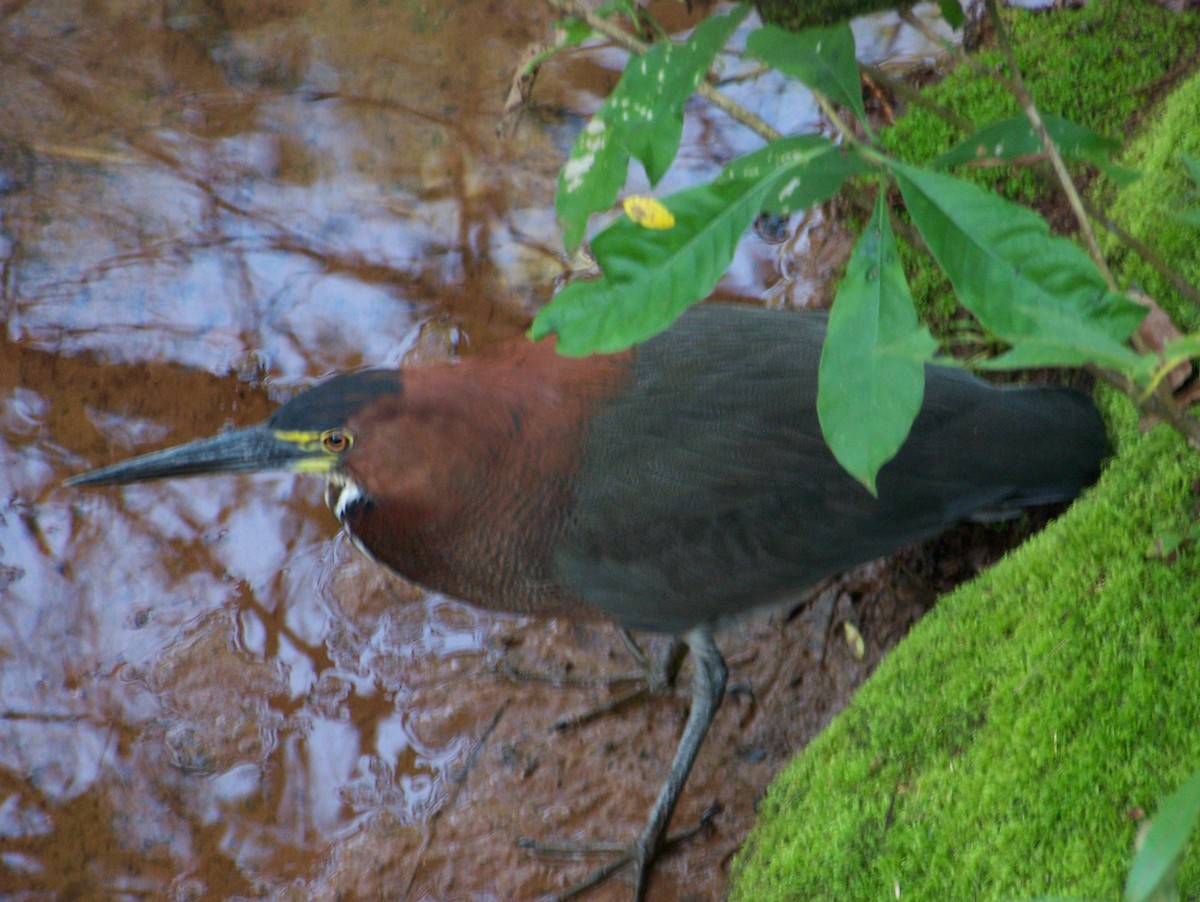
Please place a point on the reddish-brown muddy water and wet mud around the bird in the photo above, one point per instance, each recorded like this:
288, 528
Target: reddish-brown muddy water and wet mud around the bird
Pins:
205, 691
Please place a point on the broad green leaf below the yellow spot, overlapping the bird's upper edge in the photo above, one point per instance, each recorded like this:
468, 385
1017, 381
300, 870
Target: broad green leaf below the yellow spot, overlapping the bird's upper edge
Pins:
651, 278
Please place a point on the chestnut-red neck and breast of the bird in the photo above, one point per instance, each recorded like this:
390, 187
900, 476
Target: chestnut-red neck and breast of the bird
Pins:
464, 483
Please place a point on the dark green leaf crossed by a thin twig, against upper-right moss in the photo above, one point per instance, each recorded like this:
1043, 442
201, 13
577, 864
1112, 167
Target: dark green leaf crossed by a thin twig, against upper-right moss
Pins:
1015, 137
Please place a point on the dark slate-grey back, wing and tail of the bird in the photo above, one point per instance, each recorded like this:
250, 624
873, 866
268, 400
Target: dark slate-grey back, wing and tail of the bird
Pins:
706, 489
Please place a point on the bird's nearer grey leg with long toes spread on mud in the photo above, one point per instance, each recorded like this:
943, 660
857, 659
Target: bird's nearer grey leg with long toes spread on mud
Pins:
707, 690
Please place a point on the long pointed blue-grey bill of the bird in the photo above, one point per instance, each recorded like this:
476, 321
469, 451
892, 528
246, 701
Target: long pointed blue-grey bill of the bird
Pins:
257, 448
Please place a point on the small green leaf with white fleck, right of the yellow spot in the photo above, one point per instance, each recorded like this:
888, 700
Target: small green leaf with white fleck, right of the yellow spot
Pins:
819, 170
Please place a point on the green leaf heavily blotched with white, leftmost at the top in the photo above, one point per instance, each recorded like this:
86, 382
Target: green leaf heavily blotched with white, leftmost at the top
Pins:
643, 118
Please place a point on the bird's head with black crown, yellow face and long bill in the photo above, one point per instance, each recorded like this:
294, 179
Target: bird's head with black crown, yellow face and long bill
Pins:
314, 434
